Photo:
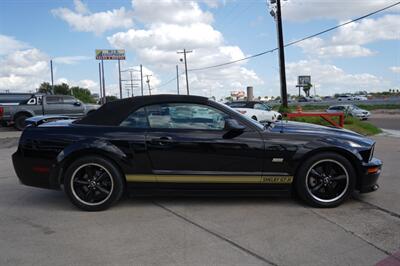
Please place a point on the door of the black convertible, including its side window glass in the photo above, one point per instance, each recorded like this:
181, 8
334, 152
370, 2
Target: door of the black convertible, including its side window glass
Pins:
188, 143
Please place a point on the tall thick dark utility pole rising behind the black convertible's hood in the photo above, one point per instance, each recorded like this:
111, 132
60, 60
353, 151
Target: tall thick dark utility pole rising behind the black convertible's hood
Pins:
278, 18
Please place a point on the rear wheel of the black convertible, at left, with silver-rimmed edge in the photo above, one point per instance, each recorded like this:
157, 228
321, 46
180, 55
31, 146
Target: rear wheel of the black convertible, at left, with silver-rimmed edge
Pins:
101, 176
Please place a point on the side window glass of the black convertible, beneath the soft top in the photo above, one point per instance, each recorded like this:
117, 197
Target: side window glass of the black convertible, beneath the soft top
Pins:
185, 116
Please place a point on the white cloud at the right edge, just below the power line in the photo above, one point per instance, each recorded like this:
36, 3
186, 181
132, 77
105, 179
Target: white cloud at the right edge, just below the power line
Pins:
348, 40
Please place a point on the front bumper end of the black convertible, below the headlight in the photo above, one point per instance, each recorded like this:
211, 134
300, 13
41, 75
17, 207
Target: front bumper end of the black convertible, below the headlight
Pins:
369, 176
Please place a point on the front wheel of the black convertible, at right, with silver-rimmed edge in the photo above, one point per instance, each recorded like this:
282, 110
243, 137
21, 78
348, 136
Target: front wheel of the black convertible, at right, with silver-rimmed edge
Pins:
322, 187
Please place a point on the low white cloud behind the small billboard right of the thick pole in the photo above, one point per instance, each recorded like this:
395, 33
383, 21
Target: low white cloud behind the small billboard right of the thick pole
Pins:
331, 79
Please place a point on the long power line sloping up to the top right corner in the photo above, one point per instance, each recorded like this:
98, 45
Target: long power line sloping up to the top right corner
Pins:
297, 41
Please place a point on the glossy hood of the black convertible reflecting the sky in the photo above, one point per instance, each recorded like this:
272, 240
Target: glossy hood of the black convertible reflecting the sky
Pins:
320, 131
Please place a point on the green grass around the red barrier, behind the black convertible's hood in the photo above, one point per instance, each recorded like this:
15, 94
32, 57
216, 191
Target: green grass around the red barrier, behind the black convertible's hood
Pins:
351, 123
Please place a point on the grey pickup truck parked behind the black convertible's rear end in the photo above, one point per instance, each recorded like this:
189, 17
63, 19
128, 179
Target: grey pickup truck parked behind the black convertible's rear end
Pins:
43, 105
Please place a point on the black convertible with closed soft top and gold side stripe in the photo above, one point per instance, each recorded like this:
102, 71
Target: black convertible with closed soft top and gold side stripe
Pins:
176, 142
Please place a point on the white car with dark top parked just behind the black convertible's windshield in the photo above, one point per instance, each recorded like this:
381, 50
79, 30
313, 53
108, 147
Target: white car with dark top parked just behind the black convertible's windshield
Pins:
256, 110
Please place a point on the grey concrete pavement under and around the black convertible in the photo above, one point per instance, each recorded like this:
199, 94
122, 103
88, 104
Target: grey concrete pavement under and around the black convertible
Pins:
41, 227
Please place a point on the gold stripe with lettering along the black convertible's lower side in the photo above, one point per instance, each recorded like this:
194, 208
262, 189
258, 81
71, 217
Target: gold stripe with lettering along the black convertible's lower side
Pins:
211, 179
